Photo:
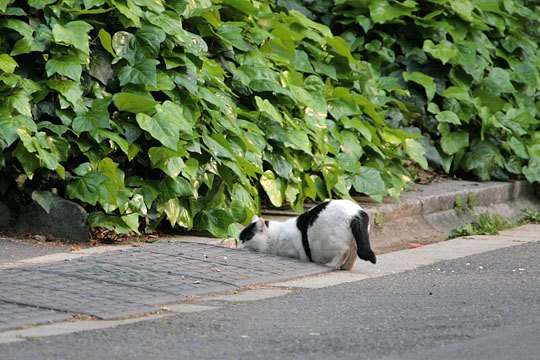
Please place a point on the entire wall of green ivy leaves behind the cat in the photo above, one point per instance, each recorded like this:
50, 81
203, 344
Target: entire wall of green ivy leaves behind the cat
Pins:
190, 112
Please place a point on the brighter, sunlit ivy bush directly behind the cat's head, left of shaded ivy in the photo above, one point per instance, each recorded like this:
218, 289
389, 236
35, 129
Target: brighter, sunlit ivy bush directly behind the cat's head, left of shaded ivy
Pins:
190, 112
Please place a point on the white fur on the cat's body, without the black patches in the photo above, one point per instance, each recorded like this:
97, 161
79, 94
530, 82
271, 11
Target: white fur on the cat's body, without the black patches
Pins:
330, 237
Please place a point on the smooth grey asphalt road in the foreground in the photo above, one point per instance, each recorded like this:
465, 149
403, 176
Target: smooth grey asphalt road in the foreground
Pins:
478, 307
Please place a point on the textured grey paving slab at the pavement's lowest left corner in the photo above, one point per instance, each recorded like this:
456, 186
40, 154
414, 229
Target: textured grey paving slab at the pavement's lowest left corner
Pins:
15, 315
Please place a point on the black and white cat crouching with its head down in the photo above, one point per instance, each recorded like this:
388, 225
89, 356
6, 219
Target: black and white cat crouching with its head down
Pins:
332, 233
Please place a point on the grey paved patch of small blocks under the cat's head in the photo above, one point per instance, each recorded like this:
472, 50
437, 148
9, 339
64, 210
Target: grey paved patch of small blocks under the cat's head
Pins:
134, 281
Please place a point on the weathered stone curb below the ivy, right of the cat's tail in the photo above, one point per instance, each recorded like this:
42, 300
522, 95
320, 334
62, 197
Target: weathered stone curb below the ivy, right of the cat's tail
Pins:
428, 213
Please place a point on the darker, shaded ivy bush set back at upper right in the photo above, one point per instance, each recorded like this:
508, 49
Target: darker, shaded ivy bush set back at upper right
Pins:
471, 70
